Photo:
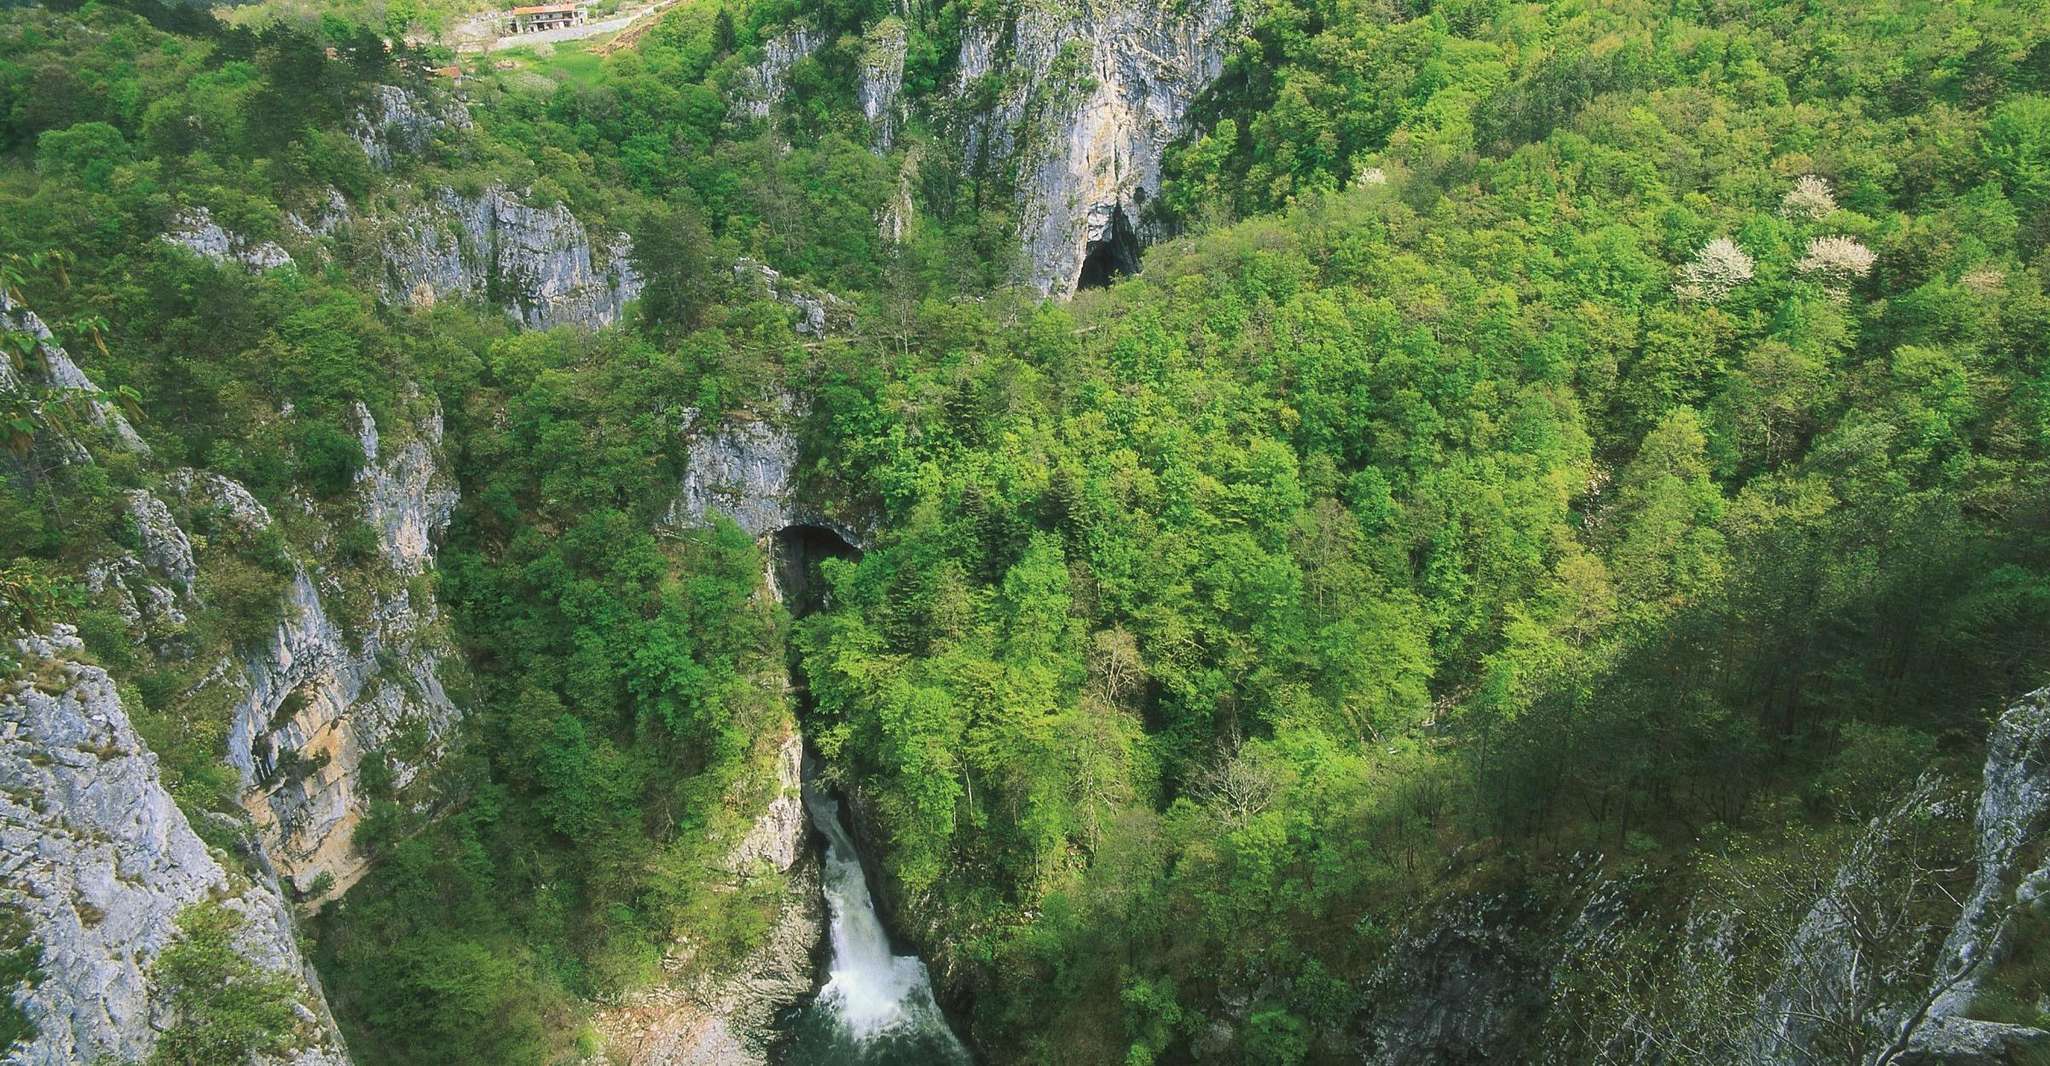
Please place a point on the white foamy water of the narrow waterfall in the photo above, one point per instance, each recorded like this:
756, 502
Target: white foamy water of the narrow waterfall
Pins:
872, 993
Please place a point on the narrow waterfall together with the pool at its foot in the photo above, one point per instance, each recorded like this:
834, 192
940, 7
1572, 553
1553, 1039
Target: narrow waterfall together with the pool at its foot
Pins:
876, 1006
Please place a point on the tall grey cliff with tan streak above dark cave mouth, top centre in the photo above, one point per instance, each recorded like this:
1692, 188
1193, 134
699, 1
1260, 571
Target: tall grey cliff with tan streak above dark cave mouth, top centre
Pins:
1092, 99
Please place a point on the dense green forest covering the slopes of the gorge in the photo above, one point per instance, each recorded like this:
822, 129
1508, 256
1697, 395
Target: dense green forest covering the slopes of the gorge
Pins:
1541, 438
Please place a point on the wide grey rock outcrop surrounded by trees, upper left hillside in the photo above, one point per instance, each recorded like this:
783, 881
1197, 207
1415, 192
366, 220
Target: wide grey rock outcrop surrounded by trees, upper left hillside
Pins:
548, 268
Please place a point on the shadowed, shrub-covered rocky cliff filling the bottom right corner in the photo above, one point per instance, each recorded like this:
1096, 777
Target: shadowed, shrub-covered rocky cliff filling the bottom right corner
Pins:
1877, 962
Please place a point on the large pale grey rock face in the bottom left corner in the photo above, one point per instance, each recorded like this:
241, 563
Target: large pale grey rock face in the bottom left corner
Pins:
101, 862
